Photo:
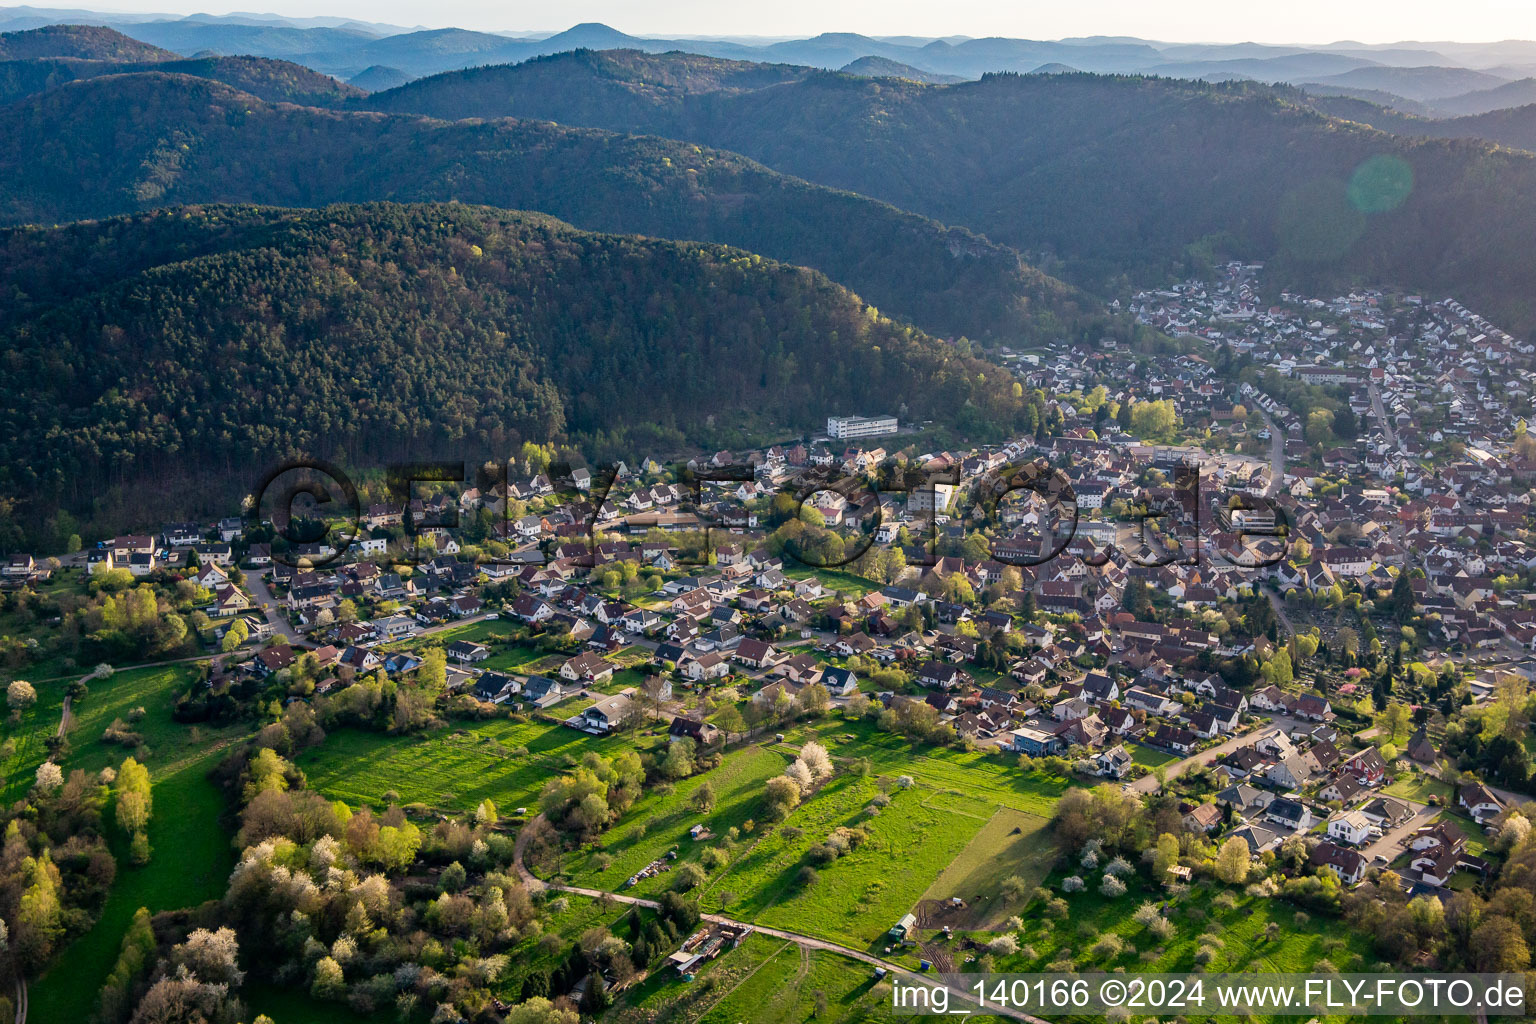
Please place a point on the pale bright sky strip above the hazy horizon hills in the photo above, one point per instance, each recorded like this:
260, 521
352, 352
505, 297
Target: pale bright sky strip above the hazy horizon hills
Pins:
1173, 21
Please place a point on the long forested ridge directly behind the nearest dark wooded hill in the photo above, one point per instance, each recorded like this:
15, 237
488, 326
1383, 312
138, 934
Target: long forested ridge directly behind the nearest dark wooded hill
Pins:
134, 142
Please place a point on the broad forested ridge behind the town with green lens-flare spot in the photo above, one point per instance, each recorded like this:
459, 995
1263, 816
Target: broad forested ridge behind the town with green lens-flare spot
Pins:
1113, 174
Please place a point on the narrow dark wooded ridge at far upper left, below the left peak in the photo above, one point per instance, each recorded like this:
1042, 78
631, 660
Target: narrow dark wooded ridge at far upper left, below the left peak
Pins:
273, 81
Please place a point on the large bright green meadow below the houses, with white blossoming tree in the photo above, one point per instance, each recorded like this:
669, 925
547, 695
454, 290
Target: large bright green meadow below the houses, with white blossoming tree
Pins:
913, 842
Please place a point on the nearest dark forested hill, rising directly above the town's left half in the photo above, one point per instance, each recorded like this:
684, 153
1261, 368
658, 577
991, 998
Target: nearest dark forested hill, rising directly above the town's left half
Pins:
205, 343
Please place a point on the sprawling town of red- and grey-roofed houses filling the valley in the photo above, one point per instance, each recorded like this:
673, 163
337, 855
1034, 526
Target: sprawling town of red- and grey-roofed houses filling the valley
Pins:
1248, 578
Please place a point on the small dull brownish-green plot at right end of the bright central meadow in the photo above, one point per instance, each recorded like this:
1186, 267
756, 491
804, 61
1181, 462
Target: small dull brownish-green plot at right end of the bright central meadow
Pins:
1010, 844
